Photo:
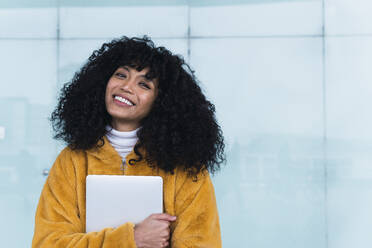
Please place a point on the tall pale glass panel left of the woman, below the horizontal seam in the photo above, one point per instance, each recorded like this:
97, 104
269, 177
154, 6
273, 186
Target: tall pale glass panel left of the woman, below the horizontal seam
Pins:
26, 146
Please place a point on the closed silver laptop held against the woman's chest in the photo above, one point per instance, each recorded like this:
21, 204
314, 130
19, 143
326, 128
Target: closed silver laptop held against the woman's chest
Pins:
112, 200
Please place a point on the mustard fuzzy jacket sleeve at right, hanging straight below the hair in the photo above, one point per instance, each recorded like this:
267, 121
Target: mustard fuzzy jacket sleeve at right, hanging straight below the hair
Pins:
197, 223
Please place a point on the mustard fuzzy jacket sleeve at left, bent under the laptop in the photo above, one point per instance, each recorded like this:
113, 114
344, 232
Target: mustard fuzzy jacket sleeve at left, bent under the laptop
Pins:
57, 220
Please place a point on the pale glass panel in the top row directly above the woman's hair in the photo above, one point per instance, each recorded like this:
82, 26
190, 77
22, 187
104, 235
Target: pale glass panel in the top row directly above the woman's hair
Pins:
118, 21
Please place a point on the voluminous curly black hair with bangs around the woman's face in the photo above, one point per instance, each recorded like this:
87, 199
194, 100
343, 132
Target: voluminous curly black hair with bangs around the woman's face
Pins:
180, 129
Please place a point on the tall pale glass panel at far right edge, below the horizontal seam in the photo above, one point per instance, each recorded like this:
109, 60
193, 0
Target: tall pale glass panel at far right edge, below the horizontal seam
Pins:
349, 158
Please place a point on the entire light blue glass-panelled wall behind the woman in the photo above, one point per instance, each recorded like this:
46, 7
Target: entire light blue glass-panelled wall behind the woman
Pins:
291, 81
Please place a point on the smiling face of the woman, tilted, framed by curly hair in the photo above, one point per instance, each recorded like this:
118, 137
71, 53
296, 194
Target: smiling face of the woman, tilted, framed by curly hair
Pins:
129, 97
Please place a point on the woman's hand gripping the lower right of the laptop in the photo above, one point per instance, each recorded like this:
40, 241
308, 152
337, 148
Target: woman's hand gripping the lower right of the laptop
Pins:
153, 231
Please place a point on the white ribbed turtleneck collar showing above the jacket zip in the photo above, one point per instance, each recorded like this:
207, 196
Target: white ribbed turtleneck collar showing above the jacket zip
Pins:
123, 142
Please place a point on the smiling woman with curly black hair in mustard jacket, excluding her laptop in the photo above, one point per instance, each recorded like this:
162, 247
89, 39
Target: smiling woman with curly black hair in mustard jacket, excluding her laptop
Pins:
134, 109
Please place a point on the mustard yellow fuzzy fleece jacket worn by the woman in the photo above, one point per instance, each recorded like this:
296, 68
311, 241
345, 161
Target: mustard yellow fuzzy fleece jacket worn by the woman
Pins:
60, 214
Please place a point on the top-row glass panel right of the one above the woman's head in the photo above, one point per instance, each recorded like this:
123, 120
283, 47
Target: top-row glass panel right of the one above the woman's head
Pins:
258, 18
